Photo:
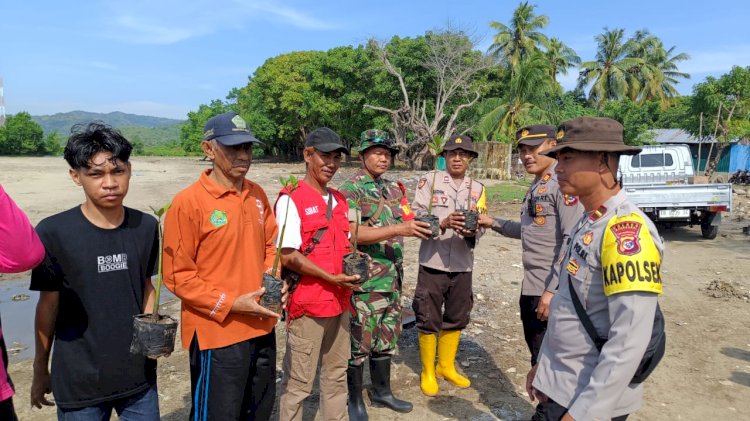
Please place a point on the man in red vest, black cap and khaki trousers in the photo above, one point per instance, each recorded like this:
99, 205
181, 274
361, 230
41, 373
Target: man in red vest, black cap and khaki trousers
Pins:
318, 308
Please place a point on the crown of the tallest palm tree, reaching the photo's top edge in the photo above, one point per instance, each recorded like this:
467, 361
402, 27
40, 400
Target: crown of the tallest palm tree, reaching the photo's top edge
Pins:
514, 42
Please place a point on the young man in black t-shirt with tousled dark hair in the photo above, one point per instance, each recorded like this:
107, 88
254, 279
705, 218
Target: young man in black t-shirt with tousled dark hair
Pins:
96, 275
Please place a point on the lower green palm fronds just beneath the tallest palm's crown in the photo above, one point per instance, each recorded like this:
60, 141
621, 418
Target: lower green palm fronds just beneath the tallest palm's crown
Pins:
528, 89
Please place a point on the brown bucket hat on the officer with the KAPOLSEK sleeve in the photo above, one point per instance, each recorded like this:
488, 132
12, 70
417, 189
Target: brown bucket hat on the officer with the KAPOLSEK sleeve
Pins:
595, 134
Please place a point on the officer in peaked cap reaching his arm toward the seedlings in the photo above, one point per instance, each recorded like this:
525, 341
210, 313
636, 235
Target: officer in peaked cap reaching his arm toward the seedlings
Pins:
547, 215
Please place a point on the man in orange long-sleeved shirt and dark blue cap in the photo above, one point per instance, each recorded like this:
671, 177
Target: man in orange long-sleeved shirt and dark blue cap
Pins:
219, 238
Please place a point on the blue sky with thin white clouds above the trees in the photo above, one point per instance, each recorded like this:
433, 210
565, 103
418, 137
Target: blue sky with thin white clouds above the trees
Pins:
166, 57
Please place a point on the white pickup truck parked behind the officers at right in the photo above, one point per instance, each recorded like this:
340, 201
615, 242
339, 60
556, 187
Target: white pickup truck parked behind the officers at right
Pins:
659, 180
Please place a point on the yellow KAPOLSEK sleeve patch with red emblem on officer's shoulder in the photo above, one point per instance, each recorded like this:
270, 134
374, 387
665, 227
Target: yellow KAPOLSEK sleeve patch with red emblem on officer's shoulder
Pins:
630, 258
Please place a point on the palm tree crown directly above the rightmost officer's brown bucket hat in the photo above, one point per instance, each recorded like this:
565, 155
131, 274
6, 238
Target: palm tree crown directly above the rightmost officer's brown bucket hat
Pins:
611, 75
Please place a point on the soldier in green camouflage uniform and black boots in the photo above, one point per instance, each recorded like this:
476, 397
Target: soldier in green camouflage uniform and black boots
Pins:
385, 219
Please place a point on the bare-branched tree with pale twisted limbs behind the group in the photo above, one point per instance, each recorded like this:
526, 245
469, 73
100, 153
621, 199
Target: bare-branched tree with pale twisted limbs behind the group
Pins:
455, 65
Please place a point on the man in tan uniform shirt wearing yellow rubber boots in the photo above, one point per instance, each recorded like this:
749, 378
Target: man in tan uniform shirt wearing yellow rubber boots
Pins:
443, 297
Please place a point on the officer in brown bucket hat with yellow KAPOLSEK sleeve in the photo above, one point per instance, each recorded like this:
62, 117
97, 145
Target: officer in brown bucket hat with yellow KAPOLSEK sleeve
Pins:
610, 274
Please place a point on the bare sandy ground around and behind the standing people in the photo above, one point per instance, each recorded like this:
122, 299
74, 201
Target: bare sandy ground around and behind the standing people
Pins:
705, 374
